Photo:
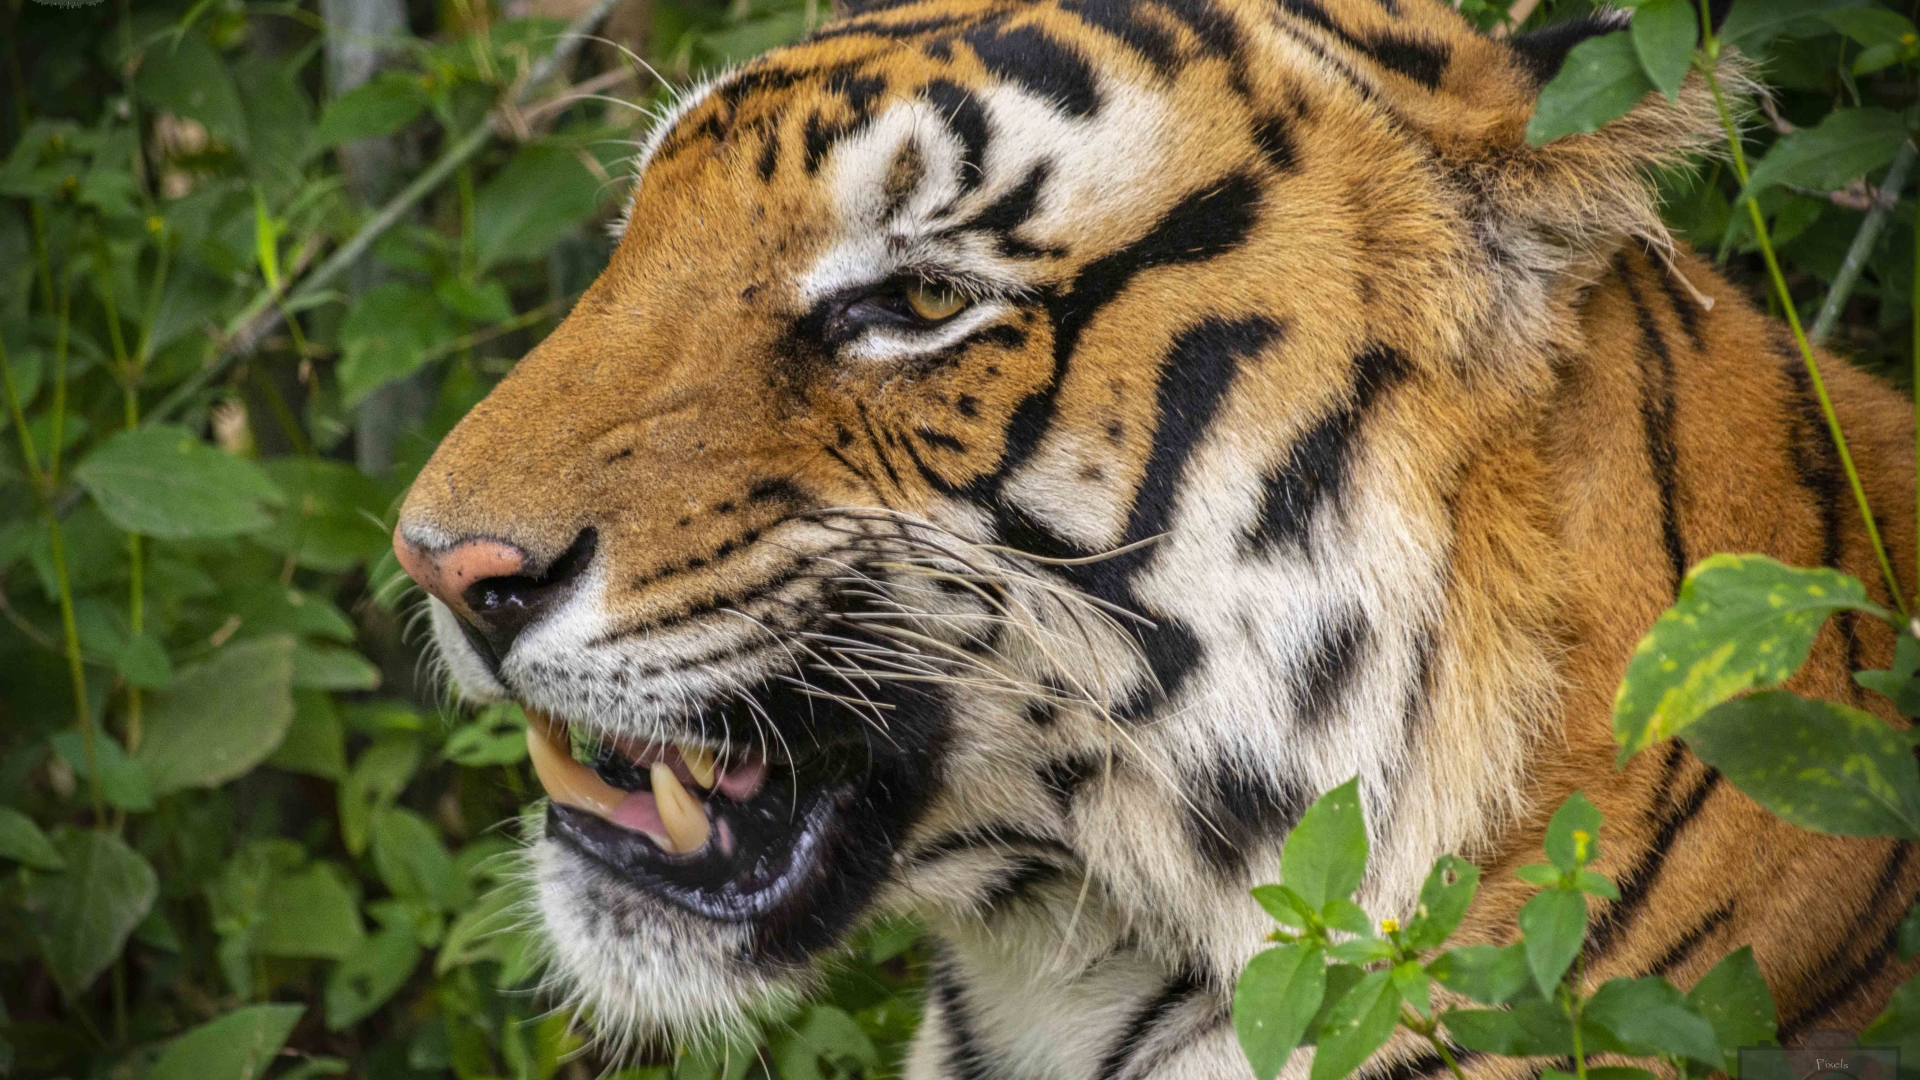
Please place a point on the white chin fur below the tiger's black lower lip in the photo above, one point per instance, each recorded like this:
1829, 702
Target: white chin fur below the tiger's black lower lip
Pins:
644, 970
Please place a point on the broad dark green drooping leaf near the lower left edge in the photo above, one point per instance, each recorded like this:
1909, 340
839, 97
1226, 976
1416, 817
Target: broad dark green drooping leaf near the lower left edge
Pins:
84, 916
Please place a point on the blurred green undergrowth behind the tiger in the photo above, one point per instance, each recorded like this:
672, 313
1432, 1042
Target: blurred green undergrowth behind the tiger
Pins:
256, 258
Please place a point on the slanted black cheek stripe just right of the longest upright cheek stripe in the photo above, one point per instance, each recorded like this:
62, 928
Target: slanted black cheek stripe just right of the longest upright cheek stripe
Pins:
1316, 466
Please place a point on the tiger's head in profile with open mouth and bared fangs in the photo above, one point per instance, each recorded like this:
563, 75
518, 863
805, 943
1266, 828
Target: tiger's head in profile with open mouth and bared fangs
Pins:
1017, 458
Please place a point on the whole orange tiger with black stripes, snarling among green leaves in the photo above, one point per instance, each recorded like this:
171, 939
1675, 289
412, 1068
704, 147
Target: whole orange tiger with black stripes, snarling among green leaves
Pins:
1022, 453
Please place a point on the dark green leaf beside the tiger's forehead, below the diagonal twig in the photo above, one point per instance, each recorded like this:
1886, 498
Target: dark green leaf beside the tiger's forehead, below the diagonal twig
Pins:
539, 199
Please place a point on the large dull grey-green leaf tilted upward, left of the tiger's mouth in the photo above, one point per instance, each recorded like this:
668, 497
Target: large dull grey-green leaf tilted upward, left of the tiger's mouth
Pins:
222, 718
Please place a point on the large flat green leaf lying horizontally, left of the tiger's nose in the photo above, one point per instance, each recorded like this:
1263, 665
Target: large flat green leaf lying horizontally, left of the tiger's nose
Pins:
166, 483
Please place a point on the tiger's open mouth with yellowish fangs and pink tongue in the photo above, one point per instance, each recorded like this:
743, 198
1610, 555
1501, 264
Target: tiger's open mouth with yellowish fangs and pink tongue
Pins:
731, 839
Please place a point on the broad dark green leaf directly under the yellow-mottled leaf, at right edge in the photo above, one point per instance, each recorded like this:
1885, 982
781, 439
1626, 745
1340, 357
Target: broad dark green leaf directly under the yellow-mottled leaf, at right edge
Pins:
1821, 766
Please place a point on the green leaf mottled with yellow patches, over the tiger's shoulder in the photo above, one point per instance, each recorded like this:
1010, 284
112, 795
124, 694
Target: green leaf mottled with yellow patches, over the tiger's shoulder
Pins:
1740, 624
